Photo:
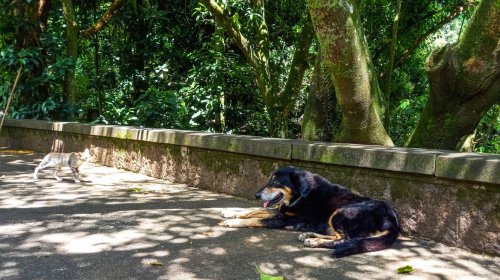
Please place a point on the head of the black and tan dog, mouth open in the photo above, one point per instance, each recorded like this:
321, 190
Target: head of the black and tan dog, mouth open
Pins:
286, 186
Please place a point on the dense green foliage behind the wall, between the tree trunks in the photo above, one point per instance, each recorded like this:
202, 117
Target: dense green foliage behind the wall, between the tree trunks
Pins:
165, 64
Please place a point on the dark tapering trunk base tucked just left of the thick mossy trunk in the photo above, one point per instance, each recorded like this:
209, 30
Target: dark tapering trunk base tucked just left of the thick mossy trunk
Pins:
321, 116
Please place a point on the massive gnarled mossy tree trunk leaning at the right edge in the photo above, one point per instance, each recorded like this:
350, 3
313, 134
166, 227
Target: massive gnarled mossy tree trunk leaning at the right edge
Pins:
464, 82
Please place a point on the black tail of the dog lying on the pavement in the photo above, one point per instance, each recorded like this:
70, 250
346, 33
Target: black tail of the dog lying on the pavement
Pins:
378, 242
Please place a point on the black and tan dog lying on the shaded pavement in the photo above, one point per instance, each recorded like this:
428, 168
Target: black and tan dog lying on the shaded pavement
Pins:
331, 215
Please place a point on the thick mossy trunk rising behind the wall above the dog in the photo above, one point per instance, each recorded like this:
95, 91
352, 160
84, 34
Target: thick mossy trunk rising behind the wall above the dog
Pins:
346, 57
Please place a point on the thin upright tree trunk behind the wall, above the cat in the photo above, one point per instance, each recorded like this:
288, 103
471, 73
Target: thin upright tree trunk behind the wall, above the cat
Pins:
71, 50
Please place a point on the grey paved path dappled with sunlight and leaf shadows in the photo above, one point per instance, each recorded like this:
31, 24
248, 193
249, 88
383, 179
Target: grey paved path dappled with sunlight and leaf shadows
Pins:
98, 229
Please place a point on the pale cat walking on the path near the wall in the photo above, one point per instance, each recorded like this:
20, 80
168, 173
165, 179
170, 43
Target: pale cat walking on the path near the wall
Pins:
72, 160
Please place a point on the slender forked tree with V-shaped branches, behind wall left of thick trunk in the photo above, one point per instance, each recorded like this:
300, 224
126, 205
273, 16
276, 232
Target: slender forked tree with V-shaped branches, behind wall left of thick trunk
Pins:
279, 100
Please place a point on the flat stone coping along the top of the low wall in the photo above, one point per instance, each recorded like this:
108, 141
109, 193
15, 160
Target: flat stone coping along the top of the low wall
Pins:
439, 163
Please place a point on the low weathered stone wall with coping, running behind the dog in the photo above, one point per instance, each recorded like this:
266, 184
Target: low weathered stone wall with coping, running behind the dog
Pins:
441, 195
